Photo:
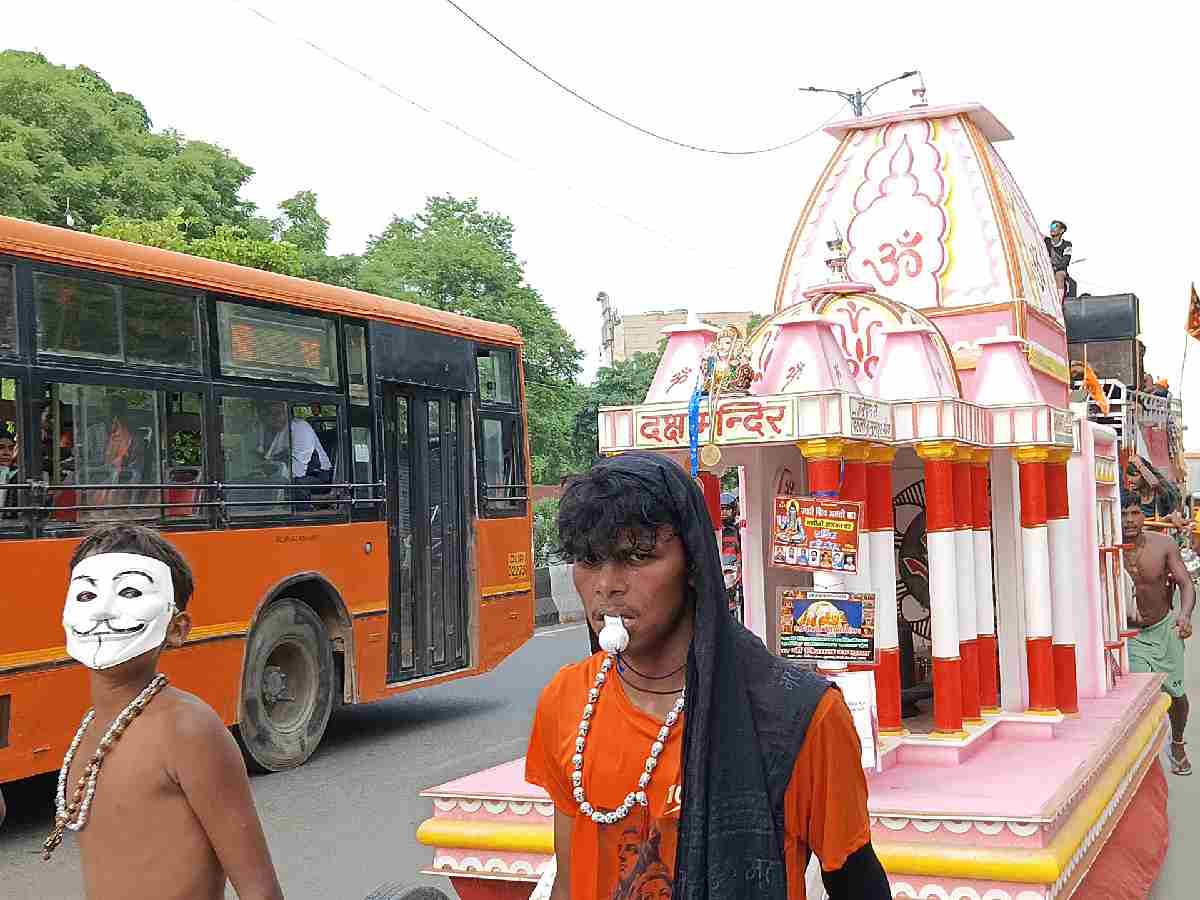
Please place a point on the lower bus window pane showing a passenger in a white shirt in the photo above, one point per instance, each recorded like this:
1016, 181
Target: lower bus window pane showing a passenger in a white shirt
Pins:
284, 457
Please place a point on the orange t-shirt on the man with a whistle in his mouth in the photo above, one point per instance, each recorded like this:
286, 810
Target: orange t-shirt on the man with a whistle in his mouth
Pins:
634, 860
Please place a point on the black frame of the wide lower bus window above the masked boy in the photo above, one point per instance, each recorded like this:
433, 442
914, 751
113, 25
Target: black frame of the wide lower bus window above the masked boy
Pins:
43, 377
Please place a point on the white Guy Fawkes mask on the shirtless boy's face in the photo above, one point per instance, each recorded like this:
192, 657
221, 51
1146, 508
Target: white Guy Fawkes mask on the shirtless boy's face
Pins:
119, 607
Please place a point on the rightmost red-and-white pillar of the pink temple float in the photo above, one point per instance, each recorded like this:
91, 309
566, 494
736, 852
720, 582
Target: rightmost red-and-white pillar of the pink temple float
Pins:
1066, 682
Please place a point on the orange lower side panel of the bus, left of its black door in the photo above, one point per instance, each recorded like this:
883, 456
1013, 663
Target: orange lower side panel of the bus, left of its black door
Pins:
236, 571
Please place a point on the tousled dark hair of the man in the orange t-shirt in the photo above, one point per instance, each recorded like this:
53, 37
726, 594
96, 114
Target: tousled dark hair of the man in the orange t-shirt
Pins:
610, 515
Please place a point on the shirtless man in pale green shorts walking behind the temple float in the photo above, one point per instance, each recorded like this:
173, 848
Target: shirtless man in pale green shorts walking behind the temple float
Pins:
1156, 567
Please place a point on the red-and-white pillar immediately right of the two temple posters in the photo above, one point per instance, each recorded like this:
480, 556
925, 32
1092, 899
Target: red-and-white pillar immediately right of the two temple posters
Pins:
880, 527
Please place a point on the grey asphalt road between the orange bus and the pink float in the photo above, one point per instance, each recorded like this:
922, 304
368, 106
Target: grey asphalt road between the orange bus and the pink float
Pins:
344, 824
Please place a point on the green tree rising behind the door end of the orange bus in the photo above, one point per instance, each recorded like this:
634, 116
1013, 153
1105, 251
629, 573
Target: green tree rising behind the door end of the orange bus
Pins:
457, 257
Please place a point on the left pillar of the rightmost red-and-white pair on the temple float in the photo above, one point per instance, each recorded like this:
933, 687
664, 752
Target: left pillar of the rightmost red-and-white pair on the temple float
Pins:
1036, 562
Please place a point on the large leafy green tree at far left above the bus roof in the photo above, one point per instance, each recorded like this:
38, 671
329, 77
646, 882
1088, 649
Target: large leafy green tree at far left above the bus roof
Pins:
67, 136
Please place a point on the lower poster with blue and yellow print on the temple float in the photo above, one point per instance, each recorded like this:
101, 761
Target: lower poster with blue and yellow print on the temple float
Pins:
827, 626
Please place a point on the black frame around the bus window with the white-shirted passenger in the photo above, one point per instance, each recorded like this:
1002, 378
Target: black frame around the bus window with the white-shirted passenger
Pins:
343, 514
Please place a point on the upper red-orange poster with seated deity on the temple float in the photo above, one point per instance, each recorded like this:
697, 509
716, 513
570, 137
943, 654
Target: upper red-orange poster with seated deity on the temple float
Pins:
815, 535
